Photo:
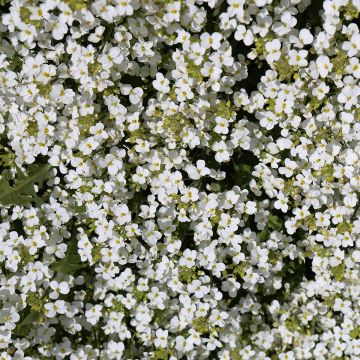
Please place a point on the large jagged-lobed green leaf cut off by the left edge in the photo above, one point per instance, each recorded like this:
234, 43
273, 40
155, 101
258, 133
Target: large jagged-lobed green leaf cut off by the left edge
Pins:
23, 191
